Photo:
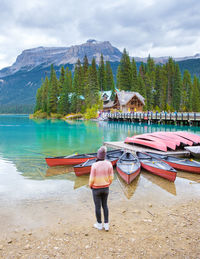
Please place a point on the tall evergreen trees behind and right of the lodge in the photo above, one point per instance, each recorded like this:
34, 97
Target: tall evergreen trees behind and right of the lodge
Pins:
162, 86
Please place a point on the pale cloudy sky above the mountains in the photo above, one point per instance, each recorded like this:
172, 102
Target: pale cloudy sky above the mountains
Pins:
155, 27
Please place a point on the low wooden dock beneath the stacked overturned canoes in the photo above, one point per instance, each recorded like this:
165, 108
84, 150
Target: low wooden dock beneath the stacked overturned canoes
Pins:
135, 148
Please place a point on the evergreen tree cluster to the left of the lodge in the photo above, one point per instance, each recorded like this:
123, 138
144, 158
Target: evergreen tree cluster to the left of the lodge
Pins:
74, 94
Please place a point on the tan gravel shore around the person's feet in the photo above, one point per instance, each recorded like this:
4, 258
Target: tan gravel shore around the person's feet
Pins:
149, 232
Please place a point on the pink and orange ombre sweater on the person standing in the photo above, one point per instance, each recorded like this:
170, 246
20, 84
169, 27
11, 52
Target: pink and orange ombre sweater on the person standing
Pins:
101, 174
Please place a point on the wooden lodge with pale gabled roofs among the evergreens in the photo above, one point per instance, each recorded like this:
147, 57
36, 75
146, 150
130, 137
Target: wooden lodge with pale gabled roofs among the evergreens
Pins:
124, 102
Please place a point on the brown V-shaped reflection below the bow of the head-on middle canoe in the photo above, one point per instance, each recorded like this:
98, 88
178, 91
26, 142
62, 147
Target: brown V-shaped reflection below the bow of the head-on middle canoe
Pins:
128, 189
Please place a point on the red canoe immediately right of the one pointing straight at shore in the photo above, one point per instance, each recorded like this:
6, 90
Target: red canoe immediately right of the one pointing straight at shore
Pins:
157, 166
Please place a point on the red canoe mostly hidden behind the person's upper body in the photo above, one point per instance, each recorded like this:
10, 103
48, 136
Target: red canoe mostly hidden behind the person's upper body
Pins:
85, 168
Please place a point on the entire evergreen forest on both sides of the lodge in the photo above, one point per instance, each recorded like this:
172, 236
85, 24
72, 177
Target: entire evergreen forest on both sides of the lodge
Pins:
162, 86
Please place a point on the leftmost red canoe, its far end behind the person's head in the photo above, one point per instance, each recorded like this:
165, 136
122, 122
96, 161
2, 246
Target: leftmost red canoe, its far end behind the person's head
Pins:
76, 159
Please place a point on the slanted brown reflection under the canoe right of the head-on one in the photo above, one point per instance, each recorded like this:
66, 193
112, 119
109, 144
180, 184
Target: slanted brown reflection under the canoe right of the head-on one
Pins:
161, 182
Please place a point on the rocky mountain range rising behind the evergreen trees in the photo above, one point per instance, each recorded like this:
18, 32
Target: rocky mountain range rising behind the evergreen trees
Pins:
19, 82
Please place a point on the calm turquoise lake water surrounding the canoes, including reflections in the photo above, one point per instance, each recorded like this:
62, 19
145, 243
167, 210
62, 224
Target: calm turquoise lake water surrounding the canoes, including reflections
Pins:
25, 143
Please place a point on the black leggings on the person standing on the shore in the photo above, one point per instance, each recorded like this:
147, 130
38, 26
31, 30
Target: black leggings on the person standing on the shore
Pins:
100, 197
